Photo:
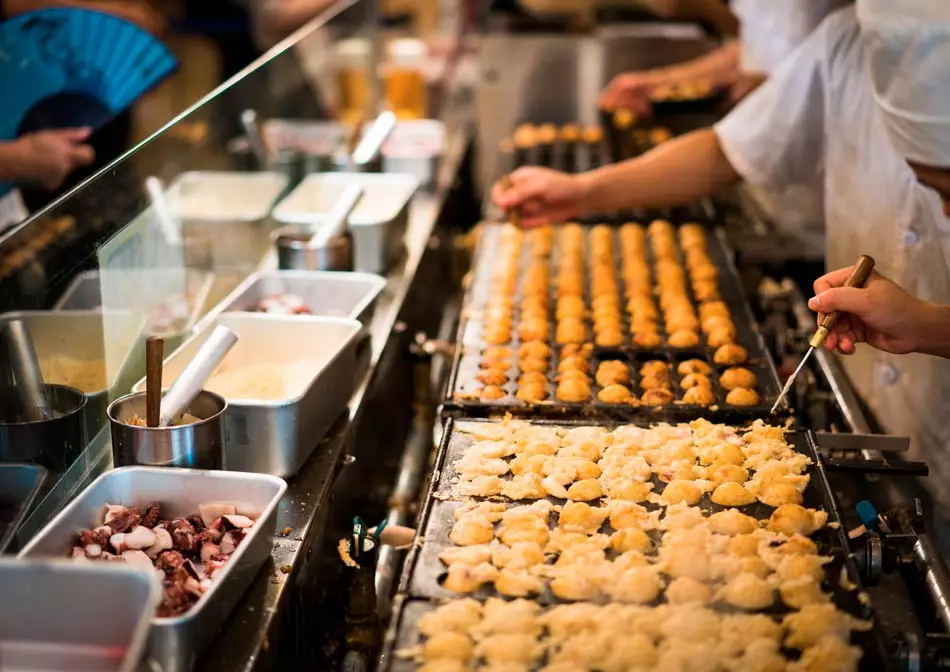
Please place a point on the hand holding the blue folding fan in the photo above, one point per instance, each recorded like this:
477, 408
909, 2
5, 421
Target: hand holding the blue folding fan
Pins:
48, 157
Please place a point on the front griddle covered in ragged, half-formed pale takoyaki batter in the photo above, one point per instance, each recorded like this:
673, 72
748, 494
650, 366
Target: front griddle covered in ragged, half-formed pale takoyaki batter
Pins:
634, 553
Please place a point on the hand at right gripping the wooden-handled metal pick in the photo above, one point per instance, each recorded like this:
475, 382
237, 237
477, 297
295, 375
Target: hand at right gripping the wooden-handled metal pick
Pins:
881, 314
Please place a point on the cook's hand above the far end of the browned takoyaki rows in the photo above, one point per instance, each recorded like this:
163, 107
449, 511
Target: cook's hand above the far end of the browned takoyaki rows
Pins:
541, 195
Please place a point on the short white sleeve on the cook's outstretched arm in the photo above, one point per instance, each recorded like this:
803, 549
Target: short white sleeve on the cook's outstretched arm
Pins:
776, 135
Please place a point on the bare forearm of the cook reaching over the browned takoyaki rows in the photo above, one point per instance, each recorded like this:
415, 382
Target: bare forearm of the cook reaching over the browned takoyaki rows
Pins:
680, 171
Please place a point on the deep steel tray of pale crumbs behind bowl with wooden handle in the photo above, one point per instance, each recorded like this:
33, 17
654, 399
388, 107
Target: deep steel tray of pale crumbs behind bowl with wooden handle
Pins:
277, 436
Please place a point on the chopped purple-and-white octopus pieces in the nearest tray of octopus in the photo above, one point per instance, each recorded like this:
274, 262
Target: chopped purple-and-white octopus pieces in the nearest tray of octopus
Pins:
187, 552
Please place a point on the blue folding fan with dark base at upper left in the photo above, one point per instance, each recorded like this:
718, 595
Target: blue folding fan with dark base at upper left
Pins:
73, 67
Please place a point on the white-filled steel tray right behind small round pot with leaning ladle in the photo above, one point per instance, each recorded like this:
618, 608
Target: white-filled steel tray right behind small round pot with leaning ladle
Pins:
378, 224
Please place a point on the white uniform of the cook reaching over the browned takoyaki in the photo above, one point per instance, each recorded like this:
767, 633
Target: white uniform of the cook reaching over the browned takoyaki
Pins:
817, 113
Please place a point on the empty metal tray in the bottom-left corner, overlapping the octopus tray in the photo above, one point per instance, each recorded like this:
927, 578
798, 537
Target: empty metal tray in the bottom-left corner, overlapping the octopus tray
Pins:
63, 615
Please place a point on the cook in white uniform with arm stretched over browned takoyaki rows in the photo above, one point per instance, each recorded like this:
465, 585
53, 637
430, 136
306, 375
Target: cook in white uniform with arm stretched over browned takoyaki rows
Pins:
864, 101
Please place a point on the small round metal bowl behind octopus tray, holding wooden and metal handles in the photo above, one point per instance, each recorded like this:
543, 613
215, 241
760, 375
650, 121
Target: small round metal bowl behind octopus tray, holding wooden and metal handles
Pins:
198, 445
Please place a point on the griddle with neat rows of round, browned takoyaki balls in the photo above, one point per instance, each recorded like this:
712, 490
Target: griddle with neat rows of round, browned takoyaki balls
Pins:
482, 331
